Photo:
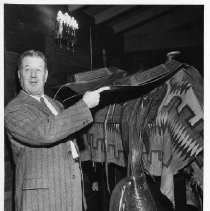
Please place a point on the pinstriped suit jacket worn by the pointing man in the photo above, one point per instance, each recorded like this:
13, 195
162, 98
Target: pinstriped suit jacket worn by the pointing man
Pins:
41, 149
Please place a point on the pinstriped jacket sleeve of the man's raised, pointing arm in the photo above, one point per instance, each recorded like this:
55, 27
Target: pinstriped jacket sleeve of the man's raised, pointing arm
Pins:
29, 126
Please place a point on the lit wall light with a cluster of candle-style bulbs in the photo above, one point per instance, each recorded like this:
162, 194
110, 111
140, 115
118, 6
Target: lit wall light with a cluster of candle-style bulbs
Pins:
65, 30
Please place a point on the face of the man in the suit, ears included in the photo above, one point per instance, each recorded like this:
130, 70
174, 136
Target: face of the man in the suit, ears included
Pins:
33, 75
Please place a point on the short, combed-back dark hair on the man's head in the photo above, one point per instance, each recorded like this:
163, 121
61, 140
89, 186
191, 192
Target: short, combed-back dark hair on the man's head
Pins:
32, 53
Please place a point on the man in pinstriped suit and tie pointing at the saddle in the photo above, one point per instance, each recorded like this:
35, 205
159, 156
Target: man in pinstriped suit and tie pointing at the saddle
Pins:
48, 174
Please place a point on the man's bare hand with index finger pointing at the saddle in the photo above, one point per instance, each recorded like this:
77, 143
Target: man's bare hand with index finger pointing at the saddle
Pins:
92, 98
